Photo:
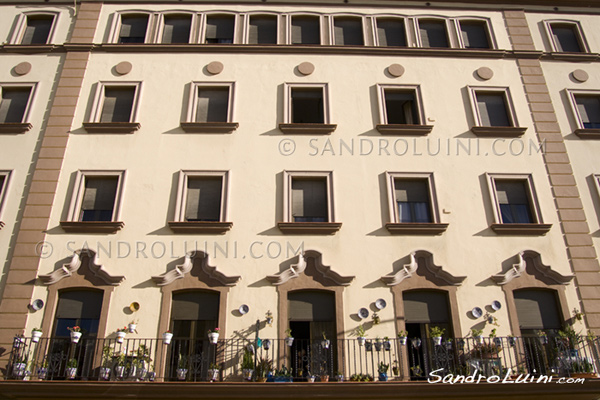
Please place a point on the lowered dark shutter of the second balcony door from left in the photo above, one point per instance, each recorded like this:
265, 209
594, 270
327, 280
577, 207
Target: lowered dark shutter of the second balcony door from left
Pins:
195, 306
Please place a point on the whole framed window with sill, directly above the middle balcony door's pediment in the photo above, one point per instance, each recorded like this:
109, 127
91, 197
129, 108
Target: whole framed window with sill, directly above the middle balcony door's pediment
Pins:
308, 203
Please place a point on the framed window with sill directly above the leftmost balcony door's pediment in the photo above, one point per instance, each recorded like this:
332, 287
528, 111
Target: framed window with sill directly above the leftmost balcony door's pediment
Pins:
95, 205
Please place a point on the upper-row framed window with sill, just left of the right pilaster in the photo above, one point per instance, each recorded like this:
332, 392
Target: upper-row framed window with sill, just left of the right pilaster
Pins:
494, 112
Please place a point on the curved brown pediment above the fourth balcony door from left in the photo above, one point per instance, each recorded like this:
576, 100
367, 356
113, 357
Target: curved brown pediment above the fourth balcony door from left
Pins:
430, 270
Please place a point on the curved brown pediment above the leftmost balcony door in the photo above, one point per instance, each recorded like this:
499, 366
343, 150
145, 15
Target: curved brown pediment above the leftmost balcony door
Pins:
92, 264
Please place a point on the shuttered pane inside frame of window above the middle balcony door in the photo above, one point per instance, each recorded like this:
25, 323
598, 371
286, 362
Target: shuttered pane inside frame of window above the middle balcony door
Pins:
309, 200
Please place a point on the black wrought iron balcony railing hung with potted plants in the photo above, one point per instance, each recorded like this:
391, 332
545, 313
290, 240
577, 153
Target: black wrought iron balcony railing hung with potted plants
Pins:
300, 360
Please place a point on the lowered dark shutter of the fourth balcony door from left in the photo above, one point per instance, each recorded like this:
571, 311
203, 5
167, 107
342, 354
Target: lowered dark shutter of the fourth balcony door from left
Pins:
426, 307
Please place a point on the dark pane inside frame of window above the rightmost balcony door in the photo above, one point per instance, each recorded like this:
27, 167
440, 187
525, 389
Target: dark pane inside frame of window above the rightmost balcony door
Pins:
513, 201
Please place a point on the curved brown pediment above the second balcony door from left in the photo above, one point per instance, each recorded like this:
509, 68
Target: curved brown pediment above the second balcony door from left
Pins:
181, 270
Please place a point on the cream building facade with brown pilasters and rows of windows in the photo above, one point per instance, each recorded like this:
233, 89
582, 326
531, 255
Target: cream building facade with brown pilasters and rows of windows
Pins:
317, 167
